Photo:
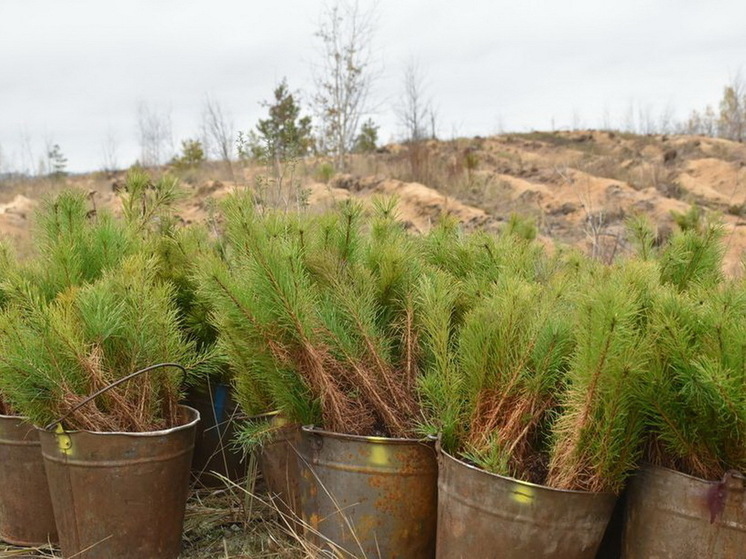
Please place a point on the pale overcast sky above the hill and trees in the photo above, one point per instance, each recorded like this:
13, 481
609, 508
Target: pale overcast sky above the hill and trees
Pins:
73, 71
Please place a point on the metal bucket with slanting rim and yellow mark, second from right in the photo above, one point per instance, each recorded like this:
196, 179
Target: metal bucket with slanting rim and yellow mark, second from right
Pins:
481, 514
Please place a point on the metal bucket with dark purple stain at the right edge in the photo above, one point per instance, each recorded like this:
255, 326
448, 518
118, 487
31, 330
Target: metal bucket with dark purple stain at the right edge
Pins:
673, 515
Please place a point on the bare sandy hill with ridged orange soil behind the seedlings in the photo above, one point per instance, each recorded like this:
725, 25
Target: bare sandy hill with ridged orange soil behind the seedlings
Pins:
579, 187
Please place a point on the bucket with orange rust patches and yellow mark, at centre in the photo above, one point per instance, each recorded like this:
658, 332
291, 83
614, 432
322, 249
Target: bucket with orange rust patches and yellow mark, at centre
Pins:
369, 496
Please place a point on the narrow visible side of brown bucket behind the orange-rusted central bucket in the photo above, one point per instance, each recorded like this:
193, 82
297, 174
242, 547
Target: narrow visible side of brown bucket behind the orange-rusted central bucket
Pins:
278, 463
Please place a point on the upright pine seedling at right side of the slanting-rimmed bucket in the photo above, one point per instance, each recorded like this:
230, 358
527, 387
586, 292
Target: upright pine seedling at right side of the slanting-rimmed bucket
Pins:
597, 436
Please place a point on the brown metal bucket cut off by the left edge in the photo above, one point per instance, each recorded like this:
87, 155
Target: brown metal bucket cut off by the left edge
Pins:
26, 515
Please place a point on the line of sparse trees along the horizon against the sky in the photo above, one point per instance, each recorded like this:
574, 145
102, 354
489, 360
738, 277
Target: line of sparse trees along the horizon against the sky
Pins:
336, 121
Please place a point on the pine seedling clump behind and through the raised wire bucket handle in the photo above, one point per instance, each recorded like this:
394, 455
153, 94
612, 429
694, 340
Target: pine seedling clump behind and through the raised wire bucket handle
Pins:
55, 353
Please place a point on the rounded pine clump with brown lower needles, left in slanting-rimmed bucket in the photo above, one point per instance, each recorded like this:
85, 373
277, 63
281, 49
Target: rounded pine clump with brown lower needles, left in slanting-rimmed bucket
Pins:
513, 350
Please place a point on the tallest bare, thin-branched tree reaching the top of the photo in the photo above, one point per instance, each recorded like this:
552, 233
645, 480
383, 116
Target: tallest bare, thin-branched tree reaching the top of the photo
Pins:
344, 77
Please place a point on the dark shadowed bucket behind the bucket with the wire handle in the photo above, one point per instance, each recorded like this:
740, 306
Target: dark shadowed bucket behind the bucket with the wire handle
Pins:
214, 450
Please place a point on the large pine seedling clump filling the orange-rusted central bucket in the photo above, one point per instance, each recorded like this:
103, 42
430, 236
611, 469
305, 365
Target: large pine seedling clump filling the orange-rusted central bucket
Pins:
315, 316
